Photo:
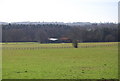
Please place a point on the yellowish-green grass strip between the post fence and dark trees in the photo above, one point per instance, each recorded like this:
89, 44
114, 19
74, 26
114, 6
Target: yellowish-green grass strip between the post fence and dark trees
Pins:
33, 44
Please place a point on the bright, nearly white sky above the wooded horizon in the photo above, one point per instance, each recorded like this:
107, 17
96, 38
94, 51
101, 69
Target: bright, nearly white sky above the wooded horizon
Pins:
59, 10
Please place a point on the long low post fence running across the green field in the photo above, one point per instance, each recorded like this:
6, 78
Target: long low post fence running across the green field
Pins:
80, 46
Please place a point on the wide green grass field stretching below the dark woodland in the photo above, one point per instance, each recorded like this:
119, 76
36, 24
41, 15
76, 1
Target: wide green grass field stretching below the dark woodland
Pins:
89, 62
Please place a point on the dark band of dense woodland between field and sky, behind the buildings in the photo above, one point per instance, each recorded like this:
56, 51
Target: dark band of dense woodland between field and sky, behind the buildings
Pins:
100, 32
